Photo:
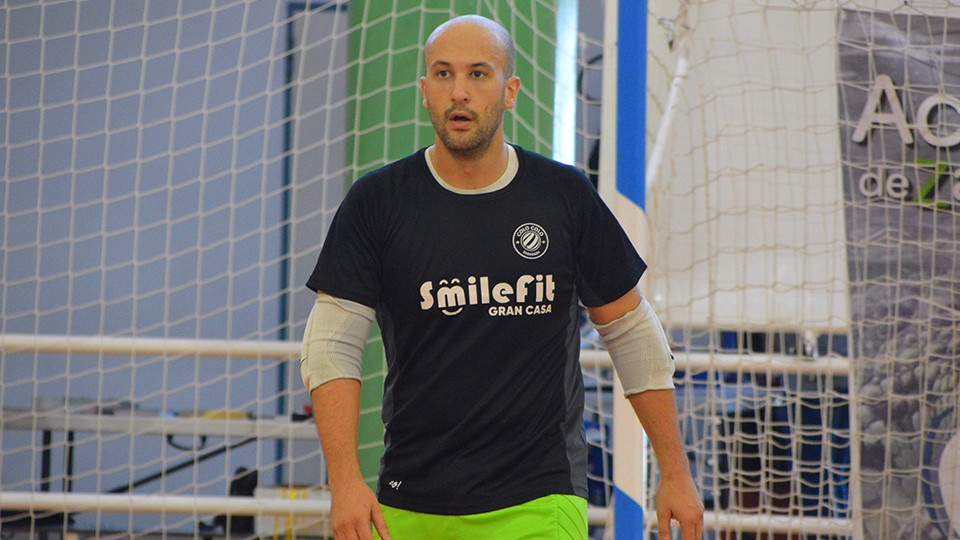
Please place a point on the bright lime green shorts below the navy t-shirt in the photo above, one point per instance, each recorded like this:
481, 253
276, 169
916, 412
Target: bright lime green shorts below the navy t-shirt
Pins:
554, 517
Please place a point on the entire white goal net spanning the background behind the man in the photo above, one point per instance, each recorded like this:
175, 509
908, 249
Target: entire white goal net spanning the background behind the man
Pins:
170, 169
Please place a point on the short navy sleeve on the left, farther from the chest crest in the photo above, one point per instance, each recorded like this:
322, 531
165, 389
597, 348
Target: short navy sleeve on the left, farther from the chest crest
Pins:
349, 265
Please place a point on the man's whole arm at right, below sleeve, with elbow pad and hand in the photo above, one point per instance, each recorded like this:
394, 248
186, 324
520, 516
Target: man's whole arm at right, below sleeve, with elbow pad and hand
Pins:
638, 346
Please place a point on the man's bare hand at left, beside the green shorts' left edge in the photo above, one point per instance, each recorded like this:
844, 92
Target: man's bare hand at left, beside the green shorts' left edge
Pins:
353, 508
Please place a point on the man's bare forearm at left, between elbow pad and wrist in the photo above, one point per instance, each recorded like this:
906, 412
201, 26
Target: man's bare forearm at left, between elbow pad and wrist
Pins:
336, 410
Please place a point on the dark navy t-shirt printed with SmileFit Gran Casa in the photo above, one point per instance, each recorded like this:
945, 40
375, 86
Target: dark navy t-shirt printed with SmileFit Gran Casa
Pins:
477, 300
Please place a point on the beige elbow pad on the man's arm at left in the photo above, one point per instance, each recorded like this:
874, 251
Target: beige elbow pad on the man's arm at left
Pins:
333, 340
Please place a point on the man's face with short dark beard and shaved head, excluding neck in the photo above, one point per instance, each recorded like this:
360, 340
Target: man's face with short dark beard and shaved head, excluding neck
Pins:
465, 89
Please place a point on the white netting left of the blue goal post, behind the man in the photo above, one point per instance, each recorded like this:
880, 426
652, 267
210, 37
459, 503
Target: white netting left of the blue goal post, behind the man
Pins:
170, 171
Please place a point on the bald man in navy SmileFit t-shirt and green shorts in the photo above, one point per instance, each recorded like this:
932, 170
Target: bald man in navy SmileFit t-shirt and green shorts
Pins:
473, 255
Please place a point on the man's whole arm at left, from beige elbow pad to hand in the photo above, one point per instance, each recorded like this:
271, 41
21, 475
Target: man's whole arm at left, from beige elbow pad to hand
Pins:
330, 365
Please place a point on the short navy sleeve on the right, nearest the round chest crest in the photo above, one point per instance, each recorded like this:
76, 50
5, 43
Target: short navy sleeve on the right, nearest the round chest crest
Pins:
608, 265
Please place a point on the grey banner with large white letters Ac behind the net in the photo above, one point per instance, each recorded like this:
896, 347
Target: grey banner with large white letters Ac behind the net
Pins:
899, 91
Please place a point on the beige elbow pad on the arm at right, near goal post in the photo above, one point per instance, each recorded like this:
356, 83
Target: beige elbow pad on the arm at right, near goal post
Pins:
639, 349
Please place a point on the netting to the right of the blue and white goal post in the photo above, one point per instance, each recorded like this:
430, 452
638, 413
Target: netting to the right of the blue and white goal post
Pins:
808, 299
